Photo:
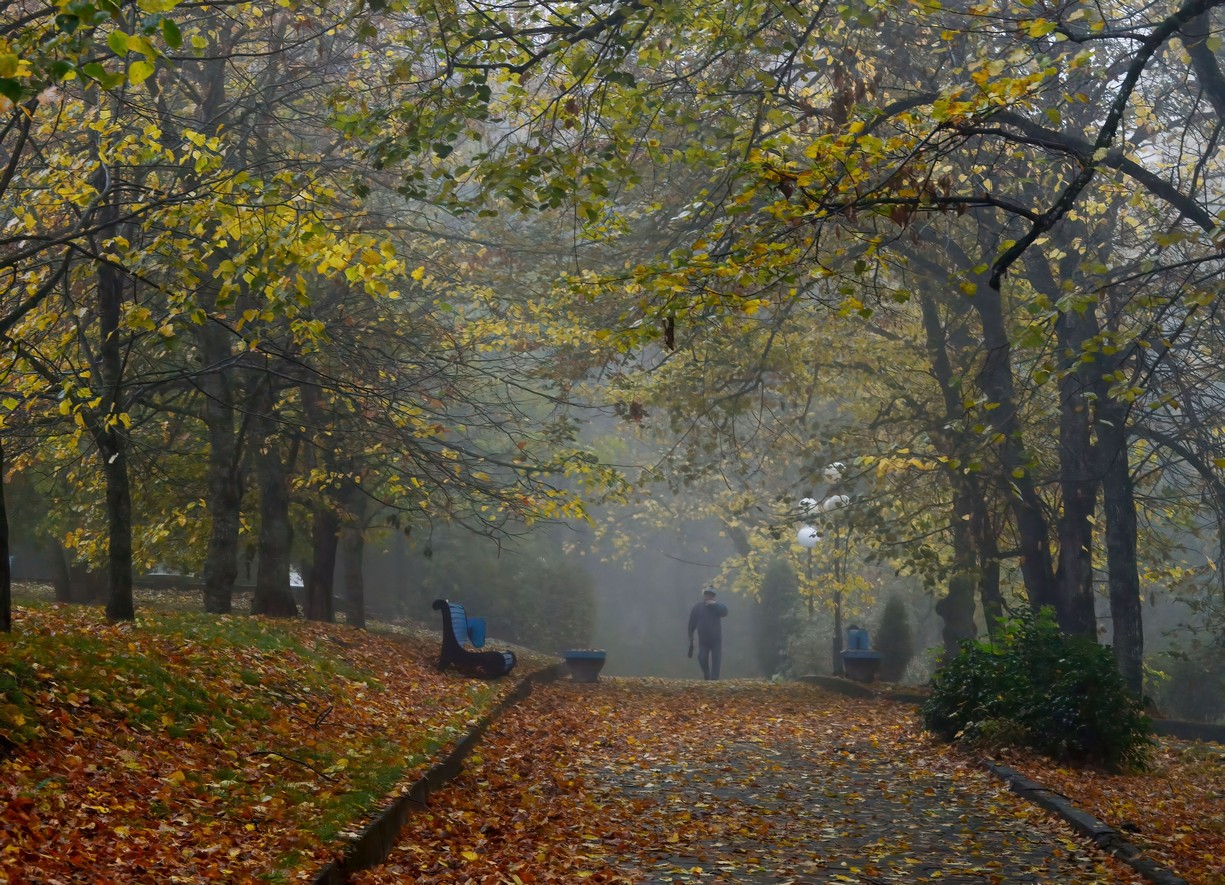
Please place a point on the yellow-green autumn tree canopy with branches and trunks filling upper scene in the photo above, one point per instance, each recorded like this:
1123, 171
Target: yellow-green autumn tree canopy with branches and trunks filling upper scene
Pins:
324, 265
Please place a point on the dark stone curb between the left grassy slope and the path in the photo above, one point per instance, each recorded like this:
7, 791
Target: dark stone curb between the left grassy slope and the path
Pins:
374, 845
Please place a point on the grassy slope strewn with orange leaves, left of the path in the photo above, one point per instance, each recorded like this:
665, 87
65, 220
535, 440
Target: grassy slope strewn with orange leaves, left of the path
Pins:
195, 748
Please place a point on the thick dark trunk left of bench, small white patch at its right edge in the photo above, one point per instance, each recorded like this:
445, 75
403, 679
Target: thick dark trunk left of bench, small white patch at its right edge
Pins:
273, 596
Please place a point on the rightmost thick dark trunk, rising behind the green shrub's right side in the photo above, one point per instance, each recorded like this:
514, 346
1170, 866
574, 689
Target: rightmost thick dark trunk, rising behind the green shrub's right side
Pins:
1123, 572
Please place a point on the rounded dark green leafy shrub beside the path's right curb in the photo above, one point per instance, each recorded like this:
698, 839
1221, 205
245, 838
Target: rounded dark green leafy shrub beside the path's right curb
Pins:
1060, 696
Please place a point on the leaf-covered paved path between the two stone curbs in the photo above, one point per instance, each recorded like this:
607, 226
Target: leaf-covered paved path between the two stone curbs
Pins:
641, 781
